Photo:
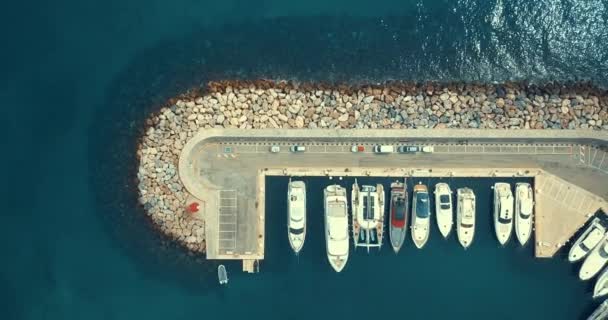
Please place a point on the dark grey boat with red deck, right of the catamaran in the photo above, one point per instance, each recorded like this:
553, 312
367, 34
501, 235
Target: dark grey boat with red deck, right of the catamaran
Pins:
398, 214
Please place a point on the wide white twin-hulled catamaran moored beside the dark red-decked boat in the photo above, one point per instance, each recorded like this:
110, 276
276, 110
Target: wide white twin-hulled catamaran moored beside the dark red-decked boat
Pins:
367, 215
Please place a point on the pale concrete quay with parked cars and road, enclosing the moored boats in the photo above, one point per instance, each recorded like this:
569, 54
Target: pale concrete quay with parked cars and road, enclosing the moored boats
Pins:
224, 171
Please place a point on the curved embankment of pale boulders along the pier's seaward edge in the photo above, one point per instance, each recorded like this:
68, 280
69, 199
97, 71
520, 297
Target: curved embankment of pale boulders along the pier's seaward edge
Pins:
266, 104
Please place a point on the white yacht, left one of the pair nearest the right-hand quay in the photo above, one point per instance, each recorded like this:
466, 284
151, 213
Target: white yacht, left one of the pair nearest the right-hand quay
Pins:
503, 211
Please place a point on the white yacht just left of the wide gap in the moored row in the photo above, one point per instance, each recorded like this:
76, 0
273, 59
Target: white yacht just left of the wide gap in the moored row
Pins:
465, 216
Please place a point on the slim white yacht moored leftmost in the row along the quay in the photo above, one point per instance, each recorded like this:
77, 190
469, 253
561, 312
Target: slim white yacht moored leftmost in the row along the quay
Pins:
296, 214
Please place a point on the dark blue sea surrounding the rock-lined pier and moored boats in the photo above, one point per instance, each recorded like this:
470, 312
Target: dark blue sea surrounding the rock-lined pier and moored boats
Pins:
77, 78
